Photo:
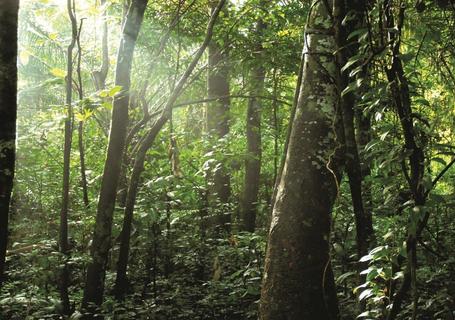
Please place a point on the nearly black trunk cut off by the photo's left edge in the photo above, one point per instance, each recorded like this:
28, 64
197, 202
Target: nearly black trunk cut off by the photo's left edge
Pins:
8, 110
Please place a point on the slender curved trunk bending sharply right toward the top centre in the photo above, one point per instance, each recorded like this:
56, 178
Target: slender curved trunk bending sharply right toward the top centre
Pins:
138, 167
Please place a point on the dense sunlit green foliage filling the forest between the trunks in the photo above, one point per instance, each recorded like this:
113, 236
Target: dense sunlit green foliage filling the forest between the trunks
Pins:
180, 266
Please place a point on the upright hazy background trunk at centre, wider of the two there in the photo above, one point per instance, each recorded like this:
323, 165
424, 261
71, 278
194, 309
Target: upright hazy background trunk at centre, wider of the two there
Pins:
218, 127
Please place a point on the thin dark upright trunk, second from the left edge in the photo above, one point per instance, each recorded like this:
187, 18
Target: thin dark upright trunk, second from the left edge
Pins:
65, 273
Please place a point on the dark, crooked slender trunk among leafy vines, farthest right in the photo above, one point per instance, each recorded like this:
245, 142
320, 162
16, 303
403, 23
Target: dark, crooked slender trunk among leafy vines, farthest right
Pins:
400, 94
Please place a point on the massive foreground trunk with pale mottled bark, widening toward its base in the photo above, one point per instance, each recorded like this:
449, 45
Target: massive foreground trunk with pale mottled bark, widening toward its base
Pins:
298, 282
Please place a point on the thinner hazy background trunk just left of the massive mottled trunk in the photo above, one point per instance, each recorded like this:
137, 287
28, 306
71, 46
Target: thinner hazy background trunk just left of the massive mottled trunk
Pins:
253, 136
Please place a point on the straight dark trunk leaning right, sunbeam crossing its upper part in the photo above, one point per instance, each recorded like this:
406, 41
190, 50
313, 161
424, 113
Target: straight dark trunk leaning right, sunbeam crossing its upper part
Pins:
94, 286
